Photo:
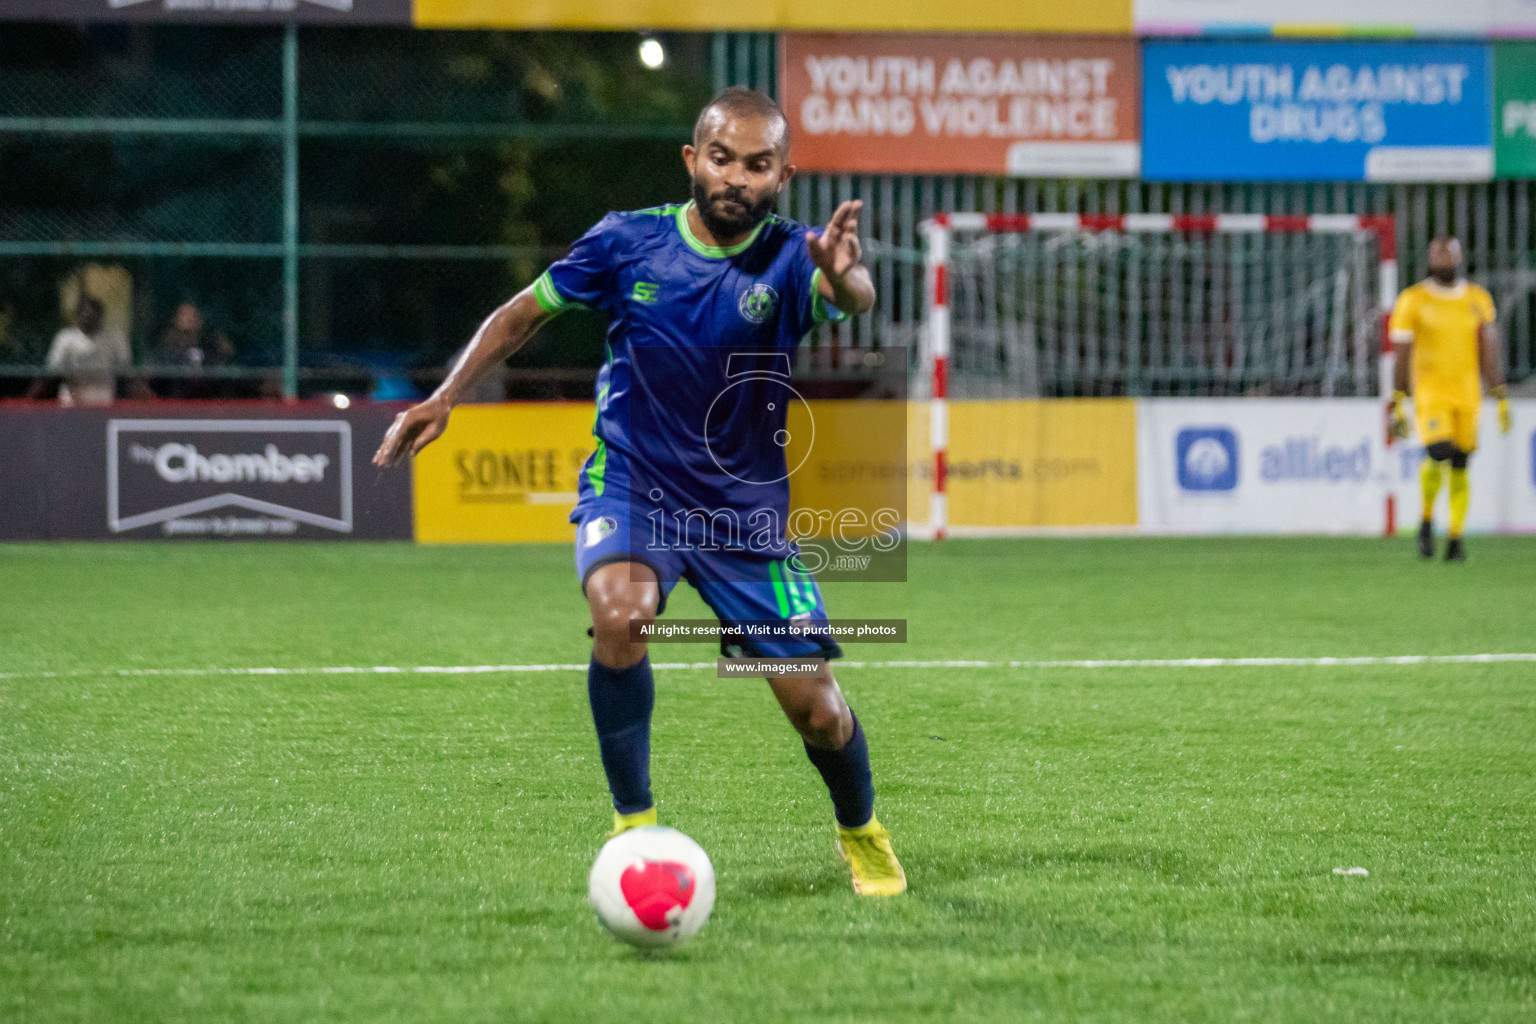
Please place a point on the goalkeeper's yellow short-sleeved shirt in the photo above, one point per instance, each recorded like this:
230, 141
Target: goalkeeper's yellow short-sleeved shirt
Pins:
1445, 326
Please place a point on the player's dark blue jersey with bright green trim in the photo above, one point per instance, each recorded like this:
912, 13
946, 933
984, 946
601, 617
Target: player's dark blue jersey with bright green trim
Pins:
694, 398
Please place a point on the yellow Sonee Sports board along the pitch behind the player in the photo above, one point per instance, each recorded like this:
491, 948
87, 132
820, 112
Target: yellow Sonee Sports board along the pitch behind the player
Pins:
509, 474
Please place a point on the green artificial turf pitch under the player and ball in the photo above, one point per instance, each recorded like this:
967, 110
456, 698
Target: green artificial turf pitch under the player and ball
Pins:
1082, 845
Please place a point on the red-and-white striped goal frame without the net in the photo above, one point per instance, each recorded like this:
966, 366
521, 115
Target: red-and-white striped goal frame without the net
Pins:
945, 233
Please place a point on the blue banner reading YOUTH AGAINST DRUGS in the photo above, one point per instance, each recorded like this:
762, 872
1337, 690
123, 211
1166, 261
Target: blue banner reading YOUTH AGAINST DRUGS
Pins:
1317, 113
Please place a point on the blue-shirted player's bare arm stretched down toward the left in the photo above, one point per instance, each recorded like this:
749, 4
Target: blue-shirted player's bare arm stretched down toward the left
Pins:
503, 334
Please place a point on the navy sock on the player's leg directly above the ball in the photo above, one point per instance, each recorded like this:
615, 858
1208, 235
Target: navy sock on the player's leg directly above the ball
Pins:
621, 709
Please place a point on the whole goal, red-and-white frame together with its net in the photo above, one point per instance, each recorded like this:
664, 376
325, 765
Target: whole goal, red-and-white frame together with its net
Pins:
1243, 303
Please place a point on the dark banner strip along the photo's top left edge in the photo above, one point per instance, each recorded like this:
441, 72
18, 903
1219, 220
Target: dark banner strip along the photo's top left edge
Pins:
230, 12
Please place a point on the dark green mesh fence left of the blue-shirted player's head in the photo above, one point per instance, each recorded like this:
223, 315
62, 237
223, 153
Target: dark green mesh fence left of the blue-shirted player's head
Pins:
342, 202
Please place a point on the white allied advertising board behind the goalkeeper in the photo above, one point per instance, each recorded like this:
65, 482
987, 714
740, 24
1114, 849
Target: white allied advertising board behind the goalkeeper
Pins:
1313, 467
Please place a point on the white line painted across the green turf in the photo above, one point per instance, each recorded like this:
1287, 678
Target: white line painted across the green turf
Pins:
574, 667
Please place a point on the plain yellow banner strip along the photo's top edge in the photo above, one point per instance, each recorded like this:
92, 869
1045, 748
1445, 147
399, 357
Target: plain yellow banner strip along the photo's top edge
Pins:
895, 16
